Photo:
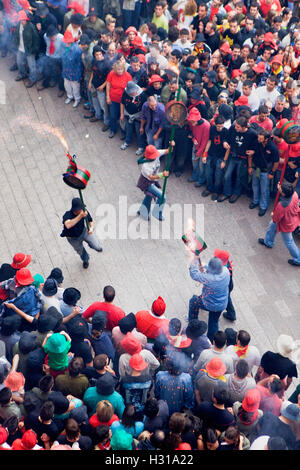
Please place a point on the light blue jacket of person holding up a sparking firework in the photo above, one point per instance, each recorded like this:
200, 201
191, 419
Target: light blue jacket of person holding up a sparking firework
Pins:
215, 287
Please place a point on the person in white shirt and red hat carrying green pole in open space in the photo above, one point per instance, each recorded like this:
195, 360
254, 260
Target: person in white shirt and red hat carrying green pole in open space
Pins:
148, 182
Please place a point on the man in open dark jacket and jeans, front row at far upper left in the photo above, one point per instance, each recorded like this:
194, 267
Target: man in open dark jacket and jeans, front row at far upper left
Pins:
27, 45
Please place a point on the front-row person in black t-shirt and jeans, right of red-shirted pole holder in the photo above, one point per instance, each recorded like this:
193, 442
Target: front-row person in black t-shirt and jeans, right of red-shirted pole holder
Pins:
214, 154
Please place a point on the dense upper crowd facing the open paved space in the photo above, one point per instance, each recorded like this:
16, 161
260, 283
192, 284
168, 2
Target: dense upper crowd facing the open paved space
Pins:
235, 66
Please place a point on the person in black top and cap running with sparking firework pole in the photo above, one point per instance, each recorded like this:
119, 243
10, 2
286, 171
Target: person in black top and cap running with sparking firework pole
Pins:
76, 232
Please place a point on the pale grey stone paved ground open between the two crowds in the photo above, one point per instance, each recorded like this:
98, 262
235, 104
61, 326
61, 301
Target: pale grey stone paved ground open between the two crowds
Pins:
34, 197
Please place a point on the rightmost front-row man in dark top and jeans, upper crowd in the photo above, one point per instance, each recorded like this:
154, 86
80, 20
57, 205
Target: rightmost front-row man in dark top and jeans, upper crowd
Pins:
264, 164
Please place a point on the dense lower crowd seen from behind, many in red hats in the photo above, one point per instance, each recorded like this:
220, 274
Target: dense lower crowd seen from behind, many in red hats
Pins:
95, 378
